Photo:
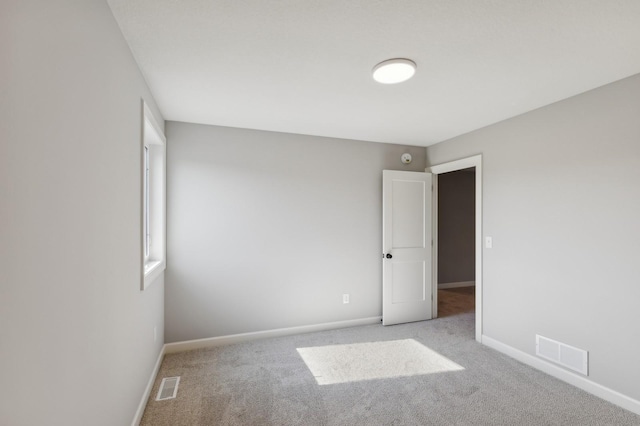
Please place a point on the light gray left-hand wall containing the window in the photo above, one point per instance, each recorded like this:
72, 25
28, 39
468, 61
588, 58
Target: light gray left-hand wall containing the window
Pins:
76, 332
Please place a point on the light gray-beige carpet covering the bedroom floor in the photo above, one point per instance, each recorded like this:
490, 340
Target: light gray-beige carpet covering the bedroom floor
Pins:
371, 376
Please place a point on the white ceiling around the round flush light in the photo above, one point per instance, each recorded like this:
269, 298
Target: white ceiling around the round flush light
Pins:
304, 66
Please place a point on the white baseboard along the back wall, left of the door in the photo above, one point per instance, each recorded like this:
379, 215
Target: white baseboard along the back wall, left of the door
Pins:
279, 332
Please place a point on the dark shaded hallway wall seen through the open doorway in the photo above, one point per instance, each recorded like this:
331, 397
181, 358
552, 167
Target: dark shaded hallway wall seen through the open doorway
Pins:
456, 226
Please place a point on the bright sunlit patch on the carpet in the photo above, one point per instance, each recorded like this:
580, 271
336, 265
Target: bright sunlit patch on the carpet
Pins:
373, 360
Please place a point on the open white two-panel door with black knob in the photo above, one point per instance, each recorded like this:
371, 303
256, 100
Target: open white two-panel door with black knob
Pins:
406, 247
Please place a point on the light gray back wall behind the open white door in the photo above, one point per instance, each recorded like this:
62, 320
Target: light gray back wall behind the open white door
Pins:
268, 230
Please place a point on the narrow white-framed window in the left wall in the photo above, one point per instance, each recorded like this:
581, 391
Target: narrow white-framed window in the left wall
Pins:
153, 199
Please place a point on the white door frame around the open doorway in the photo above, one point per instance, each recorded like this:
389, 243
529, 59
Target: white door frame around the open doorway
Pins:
452, 166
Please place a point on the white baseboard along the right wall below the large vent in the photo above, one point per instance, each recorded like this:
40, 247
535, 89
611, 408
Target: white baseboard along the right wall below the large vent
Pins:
576, 380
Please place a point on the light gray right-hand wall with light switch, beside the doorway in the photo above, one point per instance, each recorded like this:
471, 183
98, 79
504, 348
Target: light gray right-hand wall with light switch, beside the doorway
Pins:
562, 202
